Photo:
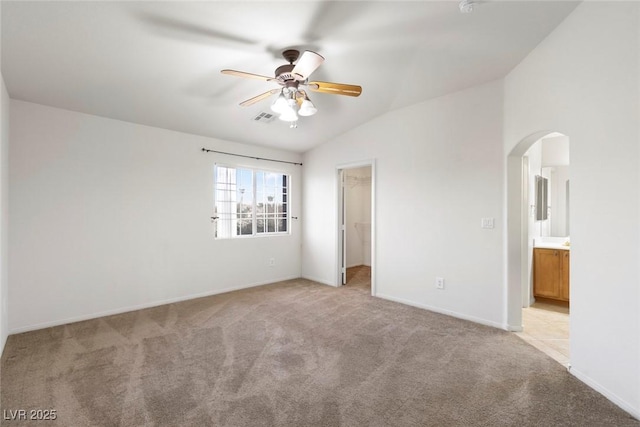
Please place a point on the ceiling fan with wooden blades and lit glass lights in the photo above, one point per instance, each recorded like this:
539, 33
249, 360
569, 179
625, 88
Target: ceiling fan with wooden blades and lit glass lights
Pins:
294, 101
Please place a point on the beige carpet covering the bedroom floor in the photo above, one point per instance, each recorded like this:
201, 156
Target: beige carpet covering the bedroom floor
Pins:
294, 353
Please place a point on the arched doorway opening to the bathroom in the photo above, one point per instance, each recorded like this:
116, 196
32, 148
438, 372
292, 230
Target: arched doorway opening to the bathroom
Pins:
539, 168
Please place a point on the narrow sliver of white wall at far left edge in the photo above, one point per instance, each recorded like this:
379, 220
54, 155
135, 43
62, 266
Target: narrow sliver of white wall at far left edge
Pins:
4, 214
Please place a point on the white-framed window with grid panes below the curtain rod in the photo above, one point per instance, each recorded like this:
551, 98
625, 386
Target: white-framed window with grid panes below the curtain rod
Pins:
250, 202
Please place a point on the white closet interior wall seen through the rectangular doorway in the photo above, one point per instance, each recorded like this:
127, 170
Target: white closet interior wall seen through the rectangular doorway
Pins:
358, 220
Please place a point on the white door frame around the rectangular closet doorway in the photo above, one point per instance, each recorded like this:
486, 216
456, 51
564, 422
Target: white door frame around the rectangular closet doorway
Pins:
340, 207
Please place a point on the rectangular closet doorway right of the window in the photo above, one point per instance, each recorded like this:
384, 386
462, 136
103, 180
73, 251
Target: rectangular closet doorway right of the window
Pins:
356, 226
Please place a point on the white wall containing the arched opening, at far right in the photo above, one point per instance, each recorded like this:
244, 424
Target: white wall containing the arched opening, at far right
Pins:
583, 82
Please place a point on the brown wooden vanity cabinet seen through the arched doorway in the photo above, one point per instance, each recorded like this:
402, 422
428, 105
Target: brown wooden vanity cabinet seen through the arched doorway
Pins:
551, 273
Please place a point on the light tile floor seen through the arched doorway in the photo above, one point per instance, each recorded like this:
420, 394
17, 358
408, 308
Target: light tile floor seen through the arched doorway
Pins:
546, 327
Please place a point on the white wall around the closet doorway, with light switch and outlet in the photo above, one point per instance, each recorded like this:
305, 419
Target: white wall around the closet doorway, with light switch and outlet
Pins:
437, 175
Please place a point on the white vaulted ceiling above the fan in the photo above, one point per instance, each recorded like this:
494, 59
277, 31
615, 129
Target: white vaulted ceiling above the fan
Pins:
158, 63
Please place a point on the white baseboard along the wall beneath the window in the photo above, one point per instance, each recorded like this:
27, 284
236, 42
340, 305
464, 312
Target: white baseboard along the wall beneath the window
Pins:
126, 309
